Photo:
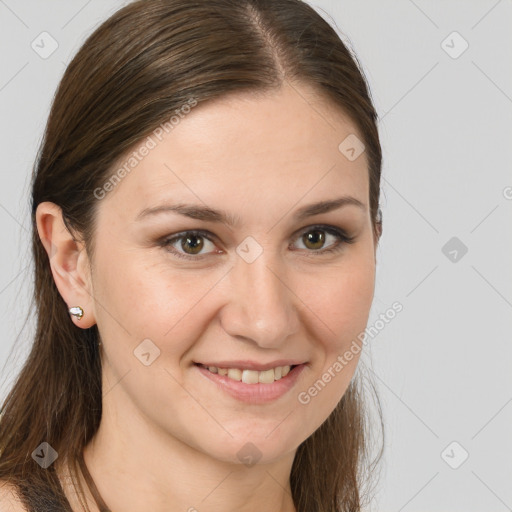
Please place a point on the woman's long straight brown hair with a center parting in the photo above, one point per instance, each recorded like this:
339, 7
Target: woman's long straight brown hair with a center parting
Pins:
132, 74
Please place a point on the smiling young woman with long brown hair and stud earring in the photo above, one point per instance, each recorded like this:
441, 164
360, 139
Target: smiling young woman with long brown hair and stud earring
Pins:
205, 224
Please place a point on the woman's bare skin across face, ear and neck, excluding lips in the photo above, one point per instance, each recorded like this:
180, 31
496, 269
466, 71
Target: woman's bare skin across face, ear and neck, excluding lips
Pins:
169, 439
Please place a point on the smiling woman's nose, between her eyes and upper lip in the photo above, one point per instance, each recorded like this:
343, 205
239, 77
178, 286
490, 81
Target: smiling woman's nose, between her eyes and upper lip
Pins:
262, 306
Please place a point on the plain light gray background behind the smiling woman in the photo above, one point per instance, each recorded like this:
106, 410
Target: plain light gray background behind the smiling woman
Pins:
442, 366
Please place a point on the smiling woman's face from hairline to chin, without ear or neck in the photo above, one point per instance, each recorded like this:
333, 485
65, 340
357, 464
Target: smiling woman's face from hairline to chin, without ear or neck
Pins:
268, 285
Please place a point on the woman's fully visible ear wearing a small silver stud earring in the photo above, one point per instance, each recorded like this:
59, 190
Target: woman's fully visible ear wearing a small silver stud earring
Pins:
69, 263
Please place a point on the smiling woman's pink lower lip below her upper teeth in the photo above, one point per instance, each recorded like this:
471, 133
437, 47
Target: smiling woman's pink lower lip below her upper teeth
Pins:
254, 393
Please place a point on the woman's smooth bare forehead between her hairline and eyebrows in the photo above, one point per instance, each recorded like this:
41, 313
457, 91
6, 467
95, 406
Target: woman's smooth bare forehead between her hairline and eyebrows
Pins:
259, 146
